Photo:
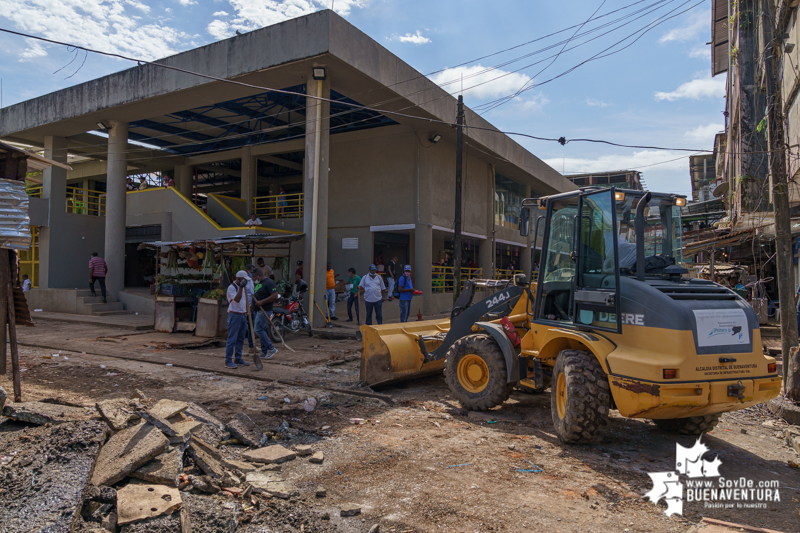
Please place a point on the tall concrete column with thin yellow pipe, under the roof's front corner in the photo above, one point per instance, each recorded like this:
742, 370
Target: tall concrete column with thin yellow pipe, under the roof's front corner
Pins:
315, 171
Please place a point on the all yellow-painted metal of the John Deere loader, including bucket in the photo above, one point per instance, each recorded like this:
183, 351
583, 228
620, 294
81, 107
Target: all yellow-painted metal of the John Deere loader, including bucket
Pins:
634, 361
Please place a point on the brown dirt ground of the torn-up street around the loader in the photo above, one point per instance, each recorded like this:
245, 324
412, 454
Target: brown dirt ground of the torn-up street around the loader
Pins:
419, 463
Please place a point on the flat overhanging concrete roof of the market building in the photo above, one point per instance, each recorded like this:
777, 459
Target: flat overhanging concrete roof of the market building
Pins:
275, 57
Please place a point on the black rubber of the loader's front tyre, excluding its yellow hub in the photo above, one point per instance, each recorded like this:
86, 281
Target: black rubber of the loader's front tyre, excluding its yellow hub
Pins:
497, 390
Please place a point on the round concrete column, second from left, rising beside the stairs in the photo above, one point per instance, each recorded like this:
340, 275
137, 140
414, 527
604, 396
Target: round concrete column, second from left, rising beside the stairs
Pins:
116, 207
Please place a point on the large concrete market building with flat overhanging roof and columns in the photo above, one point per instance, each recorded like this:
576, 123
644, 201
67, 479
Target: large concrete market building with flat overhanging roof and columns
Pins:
356, 182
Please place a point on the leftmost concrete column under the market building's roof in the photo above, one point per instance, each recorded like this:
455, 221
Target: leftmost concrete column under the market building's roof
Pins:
52, 237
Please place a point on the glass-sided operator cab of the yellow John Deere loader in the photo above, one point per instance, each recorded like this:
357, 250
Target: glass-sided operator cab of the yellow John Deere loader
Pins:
589, 240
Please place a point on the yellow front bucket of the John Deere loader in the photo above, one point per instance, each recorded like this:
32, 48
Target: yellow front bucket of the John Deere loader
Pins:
392, 352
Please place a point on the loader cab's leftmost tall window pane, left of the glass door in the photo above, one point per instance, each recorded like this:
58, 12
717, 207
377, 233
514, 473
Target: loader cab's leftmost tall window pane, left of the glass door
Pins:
558, 271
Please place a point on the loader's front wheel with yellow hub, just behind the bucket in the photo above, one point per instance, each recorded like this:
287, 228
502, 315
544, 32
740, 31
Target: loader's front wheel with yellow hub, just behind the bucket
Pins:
475, 371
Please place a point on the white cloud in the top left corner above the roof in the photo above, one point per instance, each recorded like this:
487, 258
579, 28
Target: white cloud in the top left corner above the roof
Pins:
99, 24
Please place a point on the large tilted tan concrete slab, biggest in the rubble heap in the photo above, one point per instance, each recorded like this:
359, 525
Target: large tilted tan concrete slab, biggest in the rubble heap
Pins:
128, 450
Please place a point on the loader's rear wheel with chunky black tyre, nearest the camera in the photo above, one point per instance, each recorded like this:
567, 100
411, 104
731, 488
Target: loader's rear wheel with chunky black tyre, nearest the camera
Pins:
579, 398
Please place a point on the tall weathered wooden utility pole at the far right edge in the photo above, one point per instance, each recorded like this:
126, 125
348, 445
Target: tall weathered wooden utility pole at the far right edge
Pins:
783, 233
